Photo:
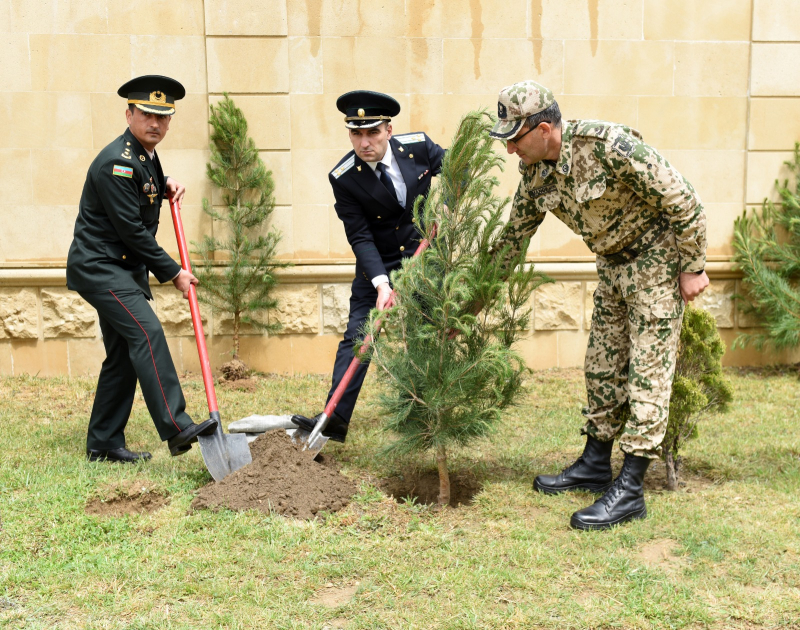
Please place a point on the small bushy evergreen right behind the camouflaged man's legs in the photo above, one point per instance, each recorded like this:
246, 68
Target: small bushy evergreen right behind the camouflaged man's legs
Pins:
699, 387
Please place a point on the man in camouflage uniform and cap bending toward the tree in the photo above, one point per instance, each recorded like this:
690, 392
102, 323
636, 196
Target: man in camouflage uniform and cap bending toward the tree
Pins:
646, 225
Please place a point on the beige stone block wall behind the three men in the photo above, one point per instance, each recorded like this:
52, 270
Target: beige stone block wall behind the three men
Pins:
714, 85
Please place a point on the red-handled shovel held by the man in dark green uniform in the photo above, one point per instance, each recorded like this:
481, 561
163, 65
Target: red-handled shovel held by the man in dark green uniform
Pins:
222, 453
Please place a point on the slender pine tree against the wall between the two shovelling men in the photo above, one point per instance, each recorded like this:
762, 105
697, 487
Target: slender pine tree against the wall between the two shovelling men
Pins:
243, 288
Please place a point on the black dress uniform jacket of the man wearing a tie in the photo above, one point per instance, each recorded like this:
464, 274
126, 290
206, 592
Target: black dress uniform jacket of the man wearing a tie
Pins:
379, 230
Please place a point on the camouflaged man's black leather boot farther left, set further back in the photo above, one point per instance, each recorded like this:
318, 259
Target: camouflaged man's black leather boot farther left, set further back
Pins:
592, 471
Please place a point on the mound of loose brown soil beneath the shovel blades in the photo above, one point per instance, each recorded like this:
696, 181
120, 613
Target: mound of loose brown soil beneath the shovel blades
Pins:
282, 479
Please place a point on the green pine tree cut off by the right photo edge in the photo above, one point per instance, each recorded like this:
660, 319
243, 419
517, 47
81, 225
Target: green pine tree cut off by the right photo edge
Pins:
767, 250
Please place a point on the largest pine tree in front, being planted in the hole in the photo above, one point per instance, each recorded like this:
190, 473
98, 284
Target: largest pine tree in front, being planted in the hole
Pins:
444, 390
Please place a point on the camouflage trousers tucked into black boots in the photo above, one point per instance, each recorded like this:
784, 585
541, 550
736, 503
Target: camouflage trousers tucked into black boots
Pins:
630, 359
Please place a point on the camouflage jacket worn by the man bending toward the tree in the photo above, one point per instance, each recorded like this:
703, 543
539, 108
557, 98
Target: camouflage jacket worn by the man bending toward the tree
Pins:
607, 186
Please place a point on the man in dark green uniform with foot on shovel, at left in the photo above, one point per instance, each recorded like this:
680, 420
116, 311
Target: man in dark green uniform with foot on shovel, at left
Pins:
113, 249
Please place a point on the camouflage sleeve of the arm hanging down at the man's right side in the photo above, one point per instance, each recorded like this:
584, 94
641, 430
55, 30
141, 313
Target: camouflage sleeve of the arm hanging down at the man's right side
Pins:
641, 168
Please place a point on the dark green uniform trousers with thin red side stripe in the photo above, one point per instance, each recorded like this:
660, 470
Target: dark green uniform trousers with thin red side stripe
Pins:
136, 350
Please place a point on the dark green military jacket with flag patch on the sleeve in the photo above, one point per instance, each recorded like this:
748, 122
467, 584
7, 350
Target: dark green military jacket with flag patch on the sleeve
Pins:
114, 243
